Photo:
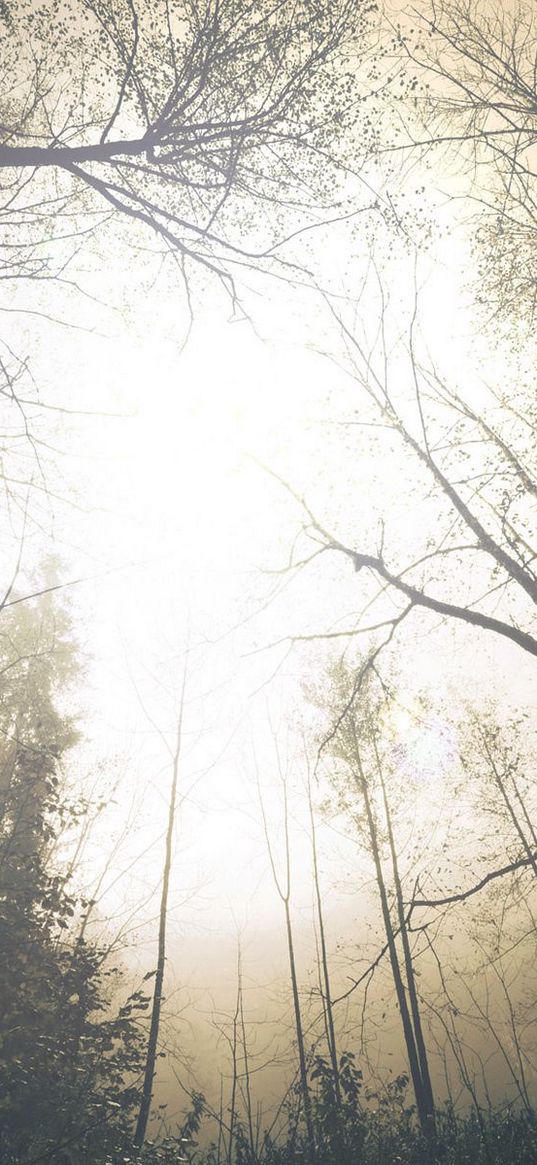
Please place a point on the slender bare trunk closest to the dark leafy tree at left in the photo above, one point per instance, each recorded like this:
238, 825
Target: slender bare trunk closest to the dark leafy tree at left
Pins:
152, 1047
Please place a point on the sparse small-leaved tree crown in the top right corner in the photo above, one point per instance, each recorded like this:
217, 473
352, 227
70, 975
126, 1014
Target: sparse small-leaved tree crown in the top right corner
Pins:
476, 83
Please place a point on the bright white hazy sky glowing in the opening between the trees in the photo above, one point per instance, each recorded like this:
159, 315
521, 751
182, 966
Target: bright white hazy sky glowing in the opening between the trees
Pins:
180, 529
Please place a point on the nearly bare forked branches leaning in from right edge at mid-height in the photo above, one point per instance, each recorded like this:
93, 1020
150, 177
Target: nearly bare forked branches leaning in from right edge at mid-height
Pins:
474, 560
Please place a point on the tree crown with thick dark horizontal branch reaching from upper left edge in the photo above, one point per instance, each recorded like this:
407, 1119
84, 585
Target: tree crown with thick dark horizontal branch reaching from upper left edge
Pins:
192, 119
